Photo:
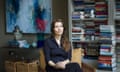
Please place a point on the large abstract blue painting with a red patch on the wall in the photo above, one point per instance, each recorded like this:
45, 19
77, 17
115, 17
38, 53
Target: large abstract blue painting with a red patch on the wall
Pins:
32, 16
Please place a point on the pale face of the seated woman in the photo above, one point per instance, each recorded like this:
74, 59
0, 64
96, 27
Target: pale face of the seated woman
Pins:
58, 28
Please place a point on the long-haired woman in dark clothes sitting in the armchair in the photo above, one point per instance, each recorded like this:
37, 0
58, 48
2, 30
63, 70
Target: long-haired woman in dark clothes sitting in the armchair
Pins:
57, 50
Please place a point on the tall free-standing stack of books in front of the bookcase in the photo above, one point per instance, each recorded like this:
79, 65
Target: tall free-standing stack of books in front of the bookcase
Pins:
107, 58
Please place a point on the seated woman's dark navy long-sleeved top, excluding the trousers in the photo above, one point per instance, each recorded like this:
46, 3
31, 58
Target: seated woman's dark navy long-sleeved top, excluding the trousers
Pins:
55, 52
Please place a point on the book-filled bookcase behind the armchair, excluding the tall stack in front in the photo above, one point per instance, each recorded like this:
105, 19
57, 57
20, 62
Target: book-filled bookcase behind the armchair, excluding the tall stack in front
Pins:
85, 17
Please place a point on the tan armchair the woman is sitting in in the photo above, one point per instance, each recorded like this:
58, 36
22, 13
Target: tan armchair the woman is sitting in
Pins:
77, 55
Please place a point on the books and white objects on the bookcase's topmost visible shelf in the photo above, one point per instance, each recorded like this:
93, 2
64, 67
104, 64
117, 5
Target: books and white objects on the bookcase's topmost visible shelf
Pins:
98, 10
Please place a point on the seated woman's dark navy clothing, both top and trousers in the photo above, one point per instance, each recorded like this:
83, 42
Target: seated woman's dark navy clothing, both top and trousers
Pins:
56, 53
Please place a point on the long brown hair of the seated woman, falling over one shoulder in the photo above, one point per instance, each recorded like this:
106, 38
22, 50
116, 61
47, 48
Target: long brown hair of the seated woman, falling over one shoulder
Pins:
64, 40
